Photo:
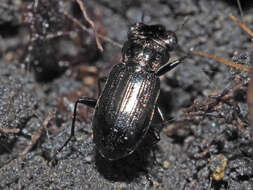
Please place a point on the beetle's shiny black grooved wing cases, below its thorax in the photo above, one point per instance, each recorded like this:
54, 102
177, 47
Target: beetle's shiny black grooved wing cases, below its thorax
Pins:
124, 110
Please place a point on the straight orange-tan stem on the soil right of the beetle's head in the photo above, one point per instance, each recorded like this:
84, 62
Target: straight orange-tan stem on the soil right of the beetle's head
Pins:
223, 60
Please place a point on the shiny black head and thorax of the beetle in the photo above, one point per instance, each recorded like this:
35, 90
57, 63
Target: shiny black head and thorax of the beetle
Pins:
148, 45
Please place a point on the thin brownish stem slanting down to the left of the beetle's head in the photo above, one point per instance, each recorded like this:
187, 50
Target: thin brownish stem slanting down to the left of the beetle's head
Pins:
90, 31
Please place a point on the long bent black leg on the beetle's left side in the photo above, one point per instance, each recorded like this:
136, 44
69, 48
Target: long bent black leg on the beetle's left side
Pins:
91, 102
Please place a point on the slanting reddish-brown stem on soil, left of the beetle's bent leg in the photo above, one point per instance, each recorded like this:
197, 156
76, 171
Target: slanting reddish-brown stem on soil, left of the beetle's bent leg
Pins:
37, 135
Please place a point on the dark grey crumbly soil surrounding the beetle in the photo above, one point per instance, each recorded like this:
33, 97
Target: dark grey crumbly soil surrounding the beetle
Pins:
47, 62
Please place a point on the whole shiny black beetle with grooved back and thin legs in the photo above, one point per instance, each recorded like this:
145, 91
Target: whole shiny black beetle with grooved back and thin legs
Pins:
125, 108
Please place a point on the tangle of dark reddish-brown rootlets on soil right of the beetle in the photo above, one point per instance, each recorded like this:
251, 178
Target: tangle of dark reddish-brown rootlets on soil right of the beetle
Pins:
213, 107
